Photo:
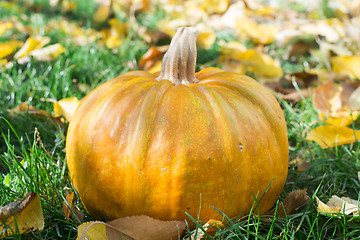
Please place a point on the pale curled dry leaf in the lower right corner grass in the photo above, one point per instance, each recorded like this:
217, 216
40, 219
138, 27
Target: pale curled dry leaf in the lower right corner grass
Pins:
343, 205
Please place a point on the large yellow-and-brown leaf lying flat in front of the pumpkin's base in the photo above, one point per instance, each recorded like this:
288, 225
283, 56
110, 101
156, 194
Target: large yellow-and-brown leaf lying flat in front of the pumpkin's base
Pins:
131, 228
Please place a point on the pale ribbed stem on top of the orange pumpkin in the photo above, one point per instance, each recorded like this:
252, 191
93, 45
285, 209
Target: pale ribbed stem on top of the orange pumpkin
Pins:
179, 61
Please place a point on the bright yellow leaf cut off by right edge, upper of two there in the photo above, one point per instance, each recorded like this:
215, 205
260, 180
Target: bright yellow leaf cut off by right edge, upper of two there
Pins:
347, 65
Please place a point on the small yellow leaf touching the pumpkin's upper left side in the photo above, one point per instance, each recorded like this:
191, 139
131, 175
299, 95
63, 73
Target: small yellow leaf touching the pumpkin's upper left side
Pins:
66, 107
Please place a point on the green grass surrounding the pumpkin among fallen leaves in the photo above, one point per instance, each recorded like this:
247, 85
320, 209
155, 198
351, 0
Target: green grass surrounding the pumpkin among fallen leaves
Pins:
32, 150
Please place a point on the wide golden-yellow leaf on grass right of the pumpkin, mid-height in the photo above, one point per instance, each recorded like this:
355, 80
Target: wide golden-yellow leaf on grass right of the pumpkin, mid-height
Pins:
331, 135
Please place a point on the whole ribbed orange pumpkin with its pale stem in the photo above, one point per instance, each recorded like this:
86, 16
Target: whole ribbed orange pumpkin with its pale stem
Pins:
178, 142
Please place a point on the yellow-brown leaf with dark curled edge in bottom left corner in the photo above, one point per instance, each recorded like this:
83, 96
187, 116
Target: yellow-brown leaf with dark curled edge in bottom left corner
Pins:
21, 216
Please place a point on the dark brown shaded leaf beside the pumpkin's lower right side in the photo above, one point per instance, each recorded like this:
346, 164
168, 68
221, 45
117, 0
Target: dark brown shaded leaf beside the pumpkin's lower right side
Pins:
293, 203
